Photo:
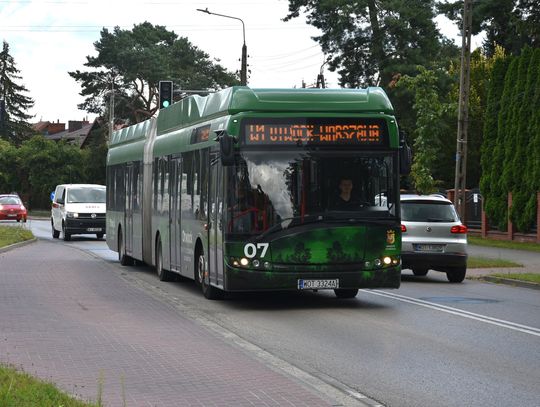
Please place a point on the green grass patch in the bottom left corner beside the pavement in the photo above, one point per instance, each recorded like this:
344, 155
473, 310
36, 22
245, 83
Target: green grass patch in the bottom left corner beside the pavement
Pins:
22, 390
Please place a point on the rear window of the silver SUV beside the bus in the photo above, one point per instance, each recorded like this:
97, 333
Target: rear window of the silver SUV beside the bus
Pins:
427, 211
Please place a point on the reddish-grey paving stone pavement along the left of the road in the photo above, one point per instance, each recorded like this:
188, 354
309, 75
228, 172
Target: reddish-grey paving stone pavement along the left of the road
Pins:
69, 319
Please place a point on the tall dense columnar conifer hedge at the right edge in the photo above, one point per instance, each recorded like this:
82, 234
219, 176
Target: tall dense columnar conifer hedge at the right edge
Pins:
510, 155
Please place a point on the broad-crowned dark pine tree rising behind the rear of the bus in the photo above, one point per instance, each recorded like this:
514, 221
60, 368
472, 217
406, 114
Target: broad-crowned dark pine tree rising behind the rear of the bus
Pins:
132, 62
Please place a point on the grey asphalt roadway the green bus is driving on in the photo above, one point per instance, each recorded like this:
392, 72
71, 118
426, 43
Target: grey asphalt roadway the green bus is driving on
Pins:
430, 343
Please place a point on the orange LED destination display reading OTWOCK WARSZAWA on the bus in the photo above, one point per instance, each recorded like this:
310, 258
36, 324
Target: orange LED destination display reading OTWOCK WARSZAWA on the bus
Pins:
315, 131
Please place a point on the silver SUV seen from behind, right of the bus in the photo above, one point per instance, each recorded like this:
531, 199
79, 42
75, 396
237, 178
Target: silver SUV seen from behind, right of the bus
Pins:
433, 237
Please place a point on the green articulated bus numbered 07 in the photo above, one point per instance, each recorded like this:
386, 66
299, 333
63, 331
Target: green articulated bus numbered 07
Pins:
262, 189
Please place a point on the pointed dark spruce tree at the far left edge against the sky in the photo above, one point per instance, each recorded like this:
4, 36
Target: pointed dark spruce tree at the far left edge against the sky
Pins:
14, 127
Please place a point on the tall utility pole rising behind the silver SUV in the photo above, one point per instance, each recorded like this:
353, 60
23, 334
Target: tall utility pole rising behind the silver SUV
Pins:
463, 113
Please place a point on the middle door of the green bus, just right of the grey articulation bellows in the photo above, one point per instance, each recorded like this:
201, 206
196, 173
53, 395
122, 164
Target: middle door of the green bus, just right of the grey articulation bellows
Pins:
175, 212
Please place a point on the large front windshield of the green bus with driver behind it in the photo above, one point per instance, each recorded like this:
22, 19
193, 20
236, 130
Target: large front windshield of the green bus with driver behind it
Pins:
268, 190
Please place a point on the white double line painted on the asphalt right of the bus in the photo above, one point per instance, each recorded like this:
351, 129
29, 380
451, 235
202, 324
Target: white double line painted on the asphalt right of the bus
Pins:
462, 313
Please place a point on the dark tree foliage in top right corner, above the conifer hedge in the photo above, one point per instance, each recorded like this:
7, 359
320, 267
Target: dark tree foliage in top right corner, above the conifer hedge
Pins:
511, 24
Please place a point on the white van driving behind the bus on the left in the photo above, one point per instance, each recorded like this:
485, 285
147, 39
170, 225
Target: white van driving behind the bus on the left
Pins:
78, 209
